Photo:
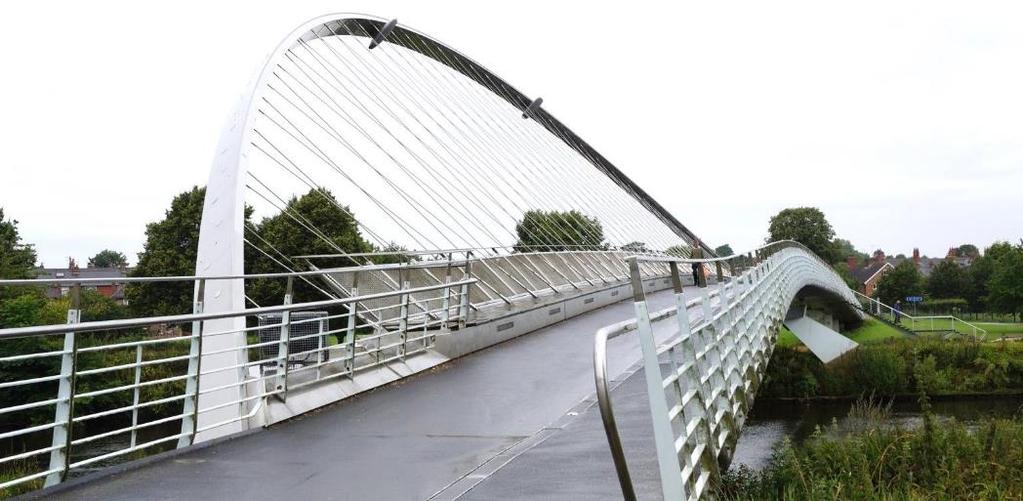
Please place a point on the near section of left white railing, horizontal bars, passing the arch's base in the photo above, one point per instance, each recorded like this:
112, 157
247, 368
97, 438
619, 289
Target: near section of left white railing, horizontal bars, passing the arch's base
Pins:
113, 372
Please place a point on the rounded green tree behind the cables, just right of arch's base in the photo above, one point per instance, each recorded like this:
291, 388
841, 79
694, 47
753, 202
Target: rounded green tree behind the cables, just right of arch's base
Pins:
282, 235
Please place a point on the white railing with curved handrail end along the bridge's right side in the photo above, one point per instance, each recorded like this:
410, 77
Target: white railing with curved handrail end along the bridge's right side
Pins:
701, 383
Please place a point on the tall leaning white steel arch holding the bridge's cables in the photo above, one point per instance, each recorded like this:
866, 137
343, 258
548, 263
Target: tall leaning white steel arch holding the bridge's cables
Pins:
223, 233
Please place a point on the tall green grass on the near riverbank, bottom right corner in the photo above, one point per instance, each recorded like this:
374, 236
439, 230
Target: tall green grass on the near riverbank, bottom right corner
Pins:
884, 462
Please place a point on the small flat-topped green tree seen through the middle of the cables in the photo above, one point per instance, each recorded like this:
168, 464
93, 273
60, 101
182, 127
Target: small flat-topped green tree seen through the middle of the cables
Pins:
558, 231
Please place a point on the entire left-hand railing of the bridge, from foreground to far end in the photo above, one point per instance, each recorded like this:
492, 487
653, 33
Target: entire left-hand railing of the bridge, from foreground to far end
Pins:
117, 388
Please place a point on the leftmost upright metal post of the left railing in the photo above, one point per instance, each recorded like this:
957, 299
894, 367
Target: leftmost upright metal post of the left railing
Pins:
65, 413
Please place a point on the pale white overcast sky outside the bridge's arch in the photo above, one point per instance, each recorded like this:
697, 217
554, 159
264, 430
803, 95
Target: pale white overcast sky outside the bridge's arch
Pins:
903, 122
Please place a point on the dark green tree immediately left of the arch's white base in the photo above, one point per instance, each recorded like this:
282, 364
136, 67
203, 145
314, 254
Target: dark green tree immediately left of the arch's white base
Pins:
171, 246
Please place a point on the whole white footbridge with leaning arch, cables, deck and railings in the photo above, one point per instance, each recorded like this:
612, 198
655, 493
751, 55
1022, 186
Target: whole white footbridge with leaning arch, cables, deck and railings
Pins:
467, 355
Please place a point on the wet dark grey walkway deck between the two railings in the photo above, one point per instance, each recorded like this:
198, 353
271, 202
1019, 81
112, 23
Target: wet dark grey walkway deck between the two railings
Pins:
436, 435
